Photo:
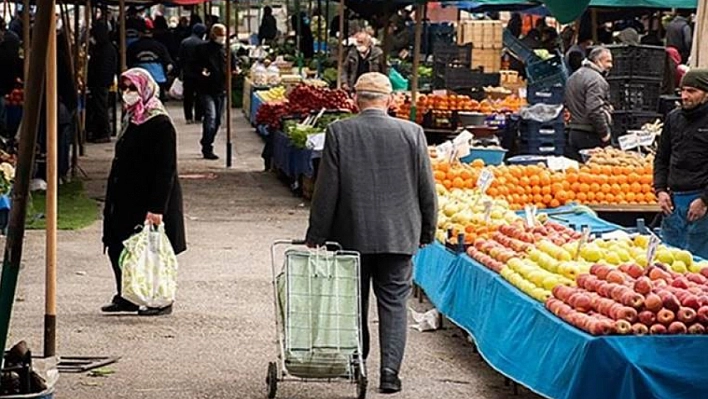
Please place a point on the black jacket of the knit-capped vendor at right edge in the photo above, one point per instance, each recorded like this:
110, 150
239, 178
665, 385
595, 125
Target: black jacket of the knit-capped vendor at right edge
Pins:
680, 163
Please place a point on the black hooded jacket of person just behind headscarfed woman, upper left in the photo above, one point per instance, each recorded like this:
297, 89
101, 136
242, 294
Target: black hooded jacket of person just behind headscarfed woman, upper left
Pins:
103, 63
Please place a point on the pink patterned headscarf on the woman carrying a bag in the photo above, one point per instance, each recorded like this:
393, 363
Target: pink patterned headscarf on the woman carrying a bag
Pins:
149, 105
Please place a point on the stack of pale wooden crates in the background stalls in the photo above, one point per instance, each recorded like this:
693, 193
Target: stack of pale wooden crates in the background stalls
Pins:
487, 43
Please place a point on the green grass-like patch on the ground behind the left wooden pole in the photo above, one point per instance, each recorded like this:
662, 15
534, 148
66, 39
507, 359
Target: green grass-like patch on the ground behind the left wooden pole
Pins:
76, 210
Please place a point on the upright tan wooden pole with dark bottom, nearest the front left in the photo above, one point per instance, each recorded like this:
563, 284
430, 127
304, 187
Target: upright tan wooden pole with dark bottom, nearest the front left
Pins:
50, 306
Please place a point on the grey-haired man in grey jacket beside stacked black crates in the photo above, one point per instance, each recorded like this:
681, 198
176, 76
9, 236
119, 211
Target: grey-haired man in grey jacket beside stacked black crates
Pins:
587, 97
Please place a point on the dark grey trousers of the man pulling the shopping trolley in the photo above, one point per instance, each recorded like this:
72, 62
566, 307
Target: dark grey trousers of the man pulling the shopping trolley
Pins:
391, 276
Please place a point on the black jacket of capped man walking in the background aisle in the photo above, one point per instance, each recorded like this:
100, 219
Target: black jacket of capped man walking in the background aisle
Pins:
211, 64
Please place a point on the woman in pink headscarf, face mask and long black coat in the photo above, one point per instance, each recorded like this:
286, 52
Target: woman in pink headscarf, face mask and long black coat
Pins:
143, 186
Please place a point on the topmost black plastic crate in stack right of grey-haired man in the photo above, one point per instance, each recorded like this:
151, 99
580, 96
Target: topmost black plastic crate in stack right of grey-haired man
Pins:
646, 62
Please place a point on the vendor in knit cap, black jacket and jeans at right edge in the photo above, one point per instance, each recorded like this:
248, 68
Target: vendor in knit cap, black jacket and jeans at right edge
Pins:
680, 168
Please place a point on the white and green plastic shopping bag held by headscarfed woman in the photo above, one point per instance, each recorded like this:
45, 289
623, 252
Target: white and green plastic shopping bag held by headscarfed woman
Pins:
149, 267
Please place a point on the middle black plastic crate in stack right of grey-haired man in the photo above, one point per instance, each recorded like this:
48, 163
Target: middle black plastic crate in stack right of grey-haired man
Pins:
635, 94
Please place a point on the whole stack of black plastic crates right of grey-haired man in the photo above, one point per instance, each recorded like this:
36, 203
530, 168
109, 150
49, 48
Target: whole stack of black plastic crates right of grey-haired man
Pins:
635, 86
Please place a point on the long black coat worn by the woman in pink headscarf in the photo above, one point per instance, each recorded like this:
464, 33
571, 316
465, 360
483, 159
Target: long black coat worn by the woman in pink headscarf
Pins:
144, 179
